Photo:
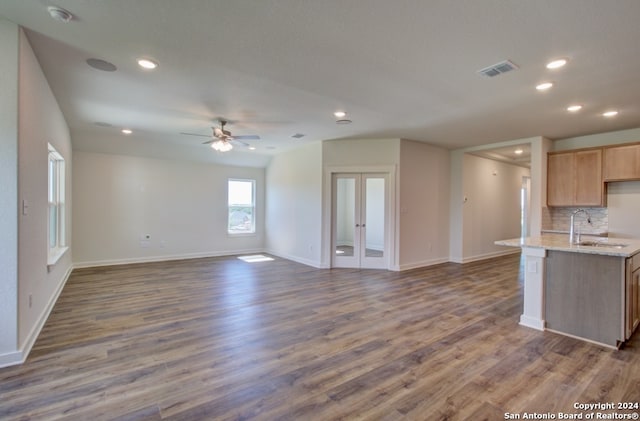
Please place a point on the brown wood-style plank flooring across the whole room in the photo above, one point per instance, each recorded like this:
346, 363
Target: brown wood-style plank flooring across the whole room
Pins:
221, 339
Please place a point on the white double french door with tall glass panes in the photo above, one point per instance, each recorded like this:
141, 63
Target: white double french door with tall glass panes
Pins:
360, 220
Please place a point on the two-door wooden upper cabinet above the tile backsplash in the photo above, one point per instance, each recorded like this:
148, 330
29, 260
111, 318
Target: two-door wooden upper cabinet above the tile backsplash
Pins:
574, 178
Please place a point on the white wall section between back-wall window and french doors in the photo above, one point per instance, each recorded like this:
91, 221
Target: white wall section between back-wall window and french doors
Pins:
294, 205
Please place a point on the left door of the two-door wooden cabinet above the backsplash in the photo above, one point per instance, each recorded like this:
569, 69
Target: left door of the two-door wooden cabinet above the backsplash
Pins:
560, 179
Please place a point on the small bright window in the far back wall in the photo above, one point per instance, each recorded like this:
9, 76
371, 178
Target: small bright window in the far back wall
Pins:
242, 206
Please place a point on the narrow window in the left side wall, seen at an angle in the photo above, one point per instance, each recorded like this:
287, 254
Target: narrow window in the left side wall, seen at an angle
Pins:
56, 191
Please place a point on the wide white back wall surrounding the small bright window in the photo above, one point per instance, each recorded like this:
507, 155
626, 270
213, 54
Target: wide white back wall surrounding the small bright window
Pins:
180, 205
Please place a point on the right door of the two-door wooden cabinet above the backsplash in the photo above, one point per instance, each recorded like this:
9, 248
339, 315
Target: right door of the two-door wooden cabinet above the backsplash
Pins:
589, 186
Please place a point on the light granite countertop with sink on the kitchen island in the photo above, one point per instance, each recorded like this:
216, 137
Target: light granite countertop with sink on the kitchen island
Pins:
609, 246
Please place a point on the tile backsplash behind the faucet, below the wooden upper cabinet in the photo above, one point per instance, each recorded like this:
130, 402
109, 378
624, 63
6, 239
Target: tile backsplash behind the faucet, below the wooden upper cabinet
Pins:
558, 219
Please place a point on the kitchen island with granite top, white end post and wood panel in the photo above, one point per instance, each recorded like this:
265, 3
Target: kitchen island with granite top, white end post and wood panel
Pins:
589, 290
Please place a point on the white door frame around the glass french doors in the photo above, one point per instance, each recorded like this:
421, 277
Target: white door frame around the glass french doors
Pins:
391, 261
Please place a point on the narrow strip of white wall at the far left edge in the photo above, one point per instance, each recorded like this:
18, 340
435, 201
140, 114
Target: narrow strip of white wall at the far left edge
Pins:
9, 35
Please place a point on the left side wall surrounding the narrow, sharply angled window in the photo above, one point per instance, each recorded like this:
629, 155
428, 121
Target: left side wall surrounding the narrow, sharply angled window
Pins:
40, 121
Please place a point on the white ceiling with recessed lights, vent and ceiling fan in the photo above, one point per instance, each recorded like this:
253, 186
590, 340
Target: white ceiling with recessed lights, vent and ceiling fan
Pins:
400, 69
